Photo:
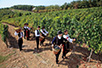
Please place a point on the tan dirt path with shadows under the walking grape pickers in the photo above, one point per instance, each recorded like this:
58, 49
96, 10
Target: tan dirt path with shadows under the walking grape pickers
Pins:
44, 59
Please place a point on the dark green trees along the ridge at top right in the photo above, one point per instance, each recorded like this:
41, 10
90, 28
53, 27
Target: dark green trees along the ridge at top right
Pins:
82, 4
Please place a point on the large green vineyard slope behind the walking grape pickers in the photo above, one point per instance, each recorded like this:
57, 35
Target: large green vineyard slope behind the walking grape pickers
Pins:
83, 24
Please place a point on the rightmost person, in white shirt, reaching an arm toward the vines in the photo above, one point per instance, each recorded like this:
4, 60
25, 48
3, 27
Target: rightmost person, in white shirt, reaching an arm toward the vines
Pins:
66, 43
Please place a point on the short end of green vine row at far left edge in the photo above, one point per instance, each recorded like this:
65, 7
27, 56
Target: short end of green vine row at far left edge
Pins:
4, 31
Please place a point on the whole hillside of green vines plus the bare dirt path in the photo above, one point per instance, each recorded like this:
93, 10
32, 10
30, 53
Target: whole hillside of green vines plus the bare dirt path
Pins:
85, 25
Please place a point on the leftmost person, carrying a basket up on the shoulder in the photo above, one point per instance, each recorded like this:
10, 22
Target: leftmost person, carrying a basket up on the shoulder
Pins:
19, 32
